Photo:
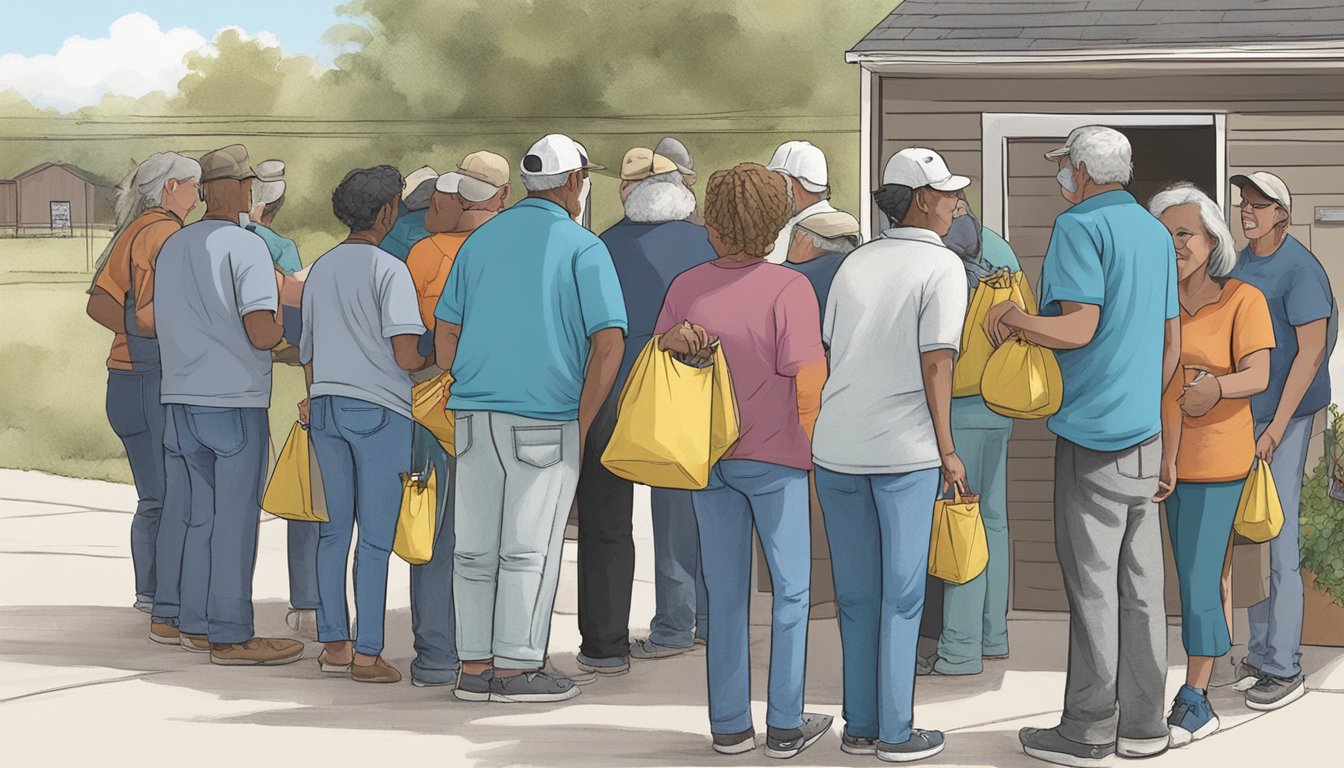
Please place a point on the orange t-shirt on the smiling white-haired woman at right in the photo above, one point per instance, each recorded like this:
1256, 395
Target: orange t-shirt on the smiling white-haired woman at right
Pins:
1220, 447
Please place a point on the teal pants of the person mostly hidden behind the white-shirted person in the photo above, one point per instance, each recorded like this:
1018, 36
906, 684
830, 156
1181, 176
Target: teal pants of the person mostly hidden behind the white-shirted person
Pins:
975, 615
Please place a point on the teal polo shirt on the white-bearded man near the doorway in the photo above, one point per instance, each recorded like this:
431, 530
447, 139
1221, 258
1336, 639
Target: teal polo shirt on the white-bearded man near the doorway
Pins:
1111, 252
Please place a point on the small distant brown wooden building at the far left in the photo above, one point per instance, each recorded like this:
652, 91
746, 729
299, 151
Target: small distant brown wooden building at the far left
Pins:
54, 198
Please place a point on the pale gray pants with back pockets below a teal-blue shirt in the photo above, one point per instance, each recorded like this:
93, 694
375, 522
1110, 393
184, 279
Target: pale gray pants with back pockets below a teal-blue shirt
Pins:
515, 484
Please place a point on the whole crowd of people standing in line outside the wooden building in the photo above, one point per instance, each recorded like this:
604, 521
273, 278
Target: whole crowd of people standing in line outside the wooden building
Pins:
842, 360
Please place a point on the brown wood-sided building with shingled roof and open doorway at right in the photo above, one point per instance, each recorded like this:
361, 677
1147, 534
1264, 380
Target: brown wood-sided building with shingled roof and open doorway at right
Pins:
1205, 89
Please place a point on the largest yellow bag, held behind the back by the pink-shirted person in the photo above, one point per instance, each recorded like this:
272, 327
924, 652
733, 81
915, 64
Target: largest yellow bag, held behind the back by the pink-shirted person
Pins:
674, 422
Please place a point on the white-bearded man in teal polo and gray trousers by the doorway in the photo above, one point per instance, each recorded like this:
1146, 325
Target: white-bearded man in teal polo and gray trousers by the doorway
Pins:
1109, 309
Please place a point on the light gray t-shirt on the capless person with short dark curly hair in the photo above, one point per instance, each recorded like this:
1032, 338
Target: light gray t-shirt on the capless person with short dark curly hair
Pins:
355, 301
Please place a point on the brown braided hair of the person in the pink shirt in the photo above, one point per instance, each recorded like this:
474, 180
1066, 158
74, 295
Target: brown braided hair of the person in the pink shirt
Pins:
748, 206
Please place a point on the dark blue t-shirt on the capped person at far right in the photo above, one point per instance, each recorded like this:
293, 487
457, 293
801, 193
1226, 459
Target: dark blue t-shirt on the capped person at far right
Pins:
1299, 293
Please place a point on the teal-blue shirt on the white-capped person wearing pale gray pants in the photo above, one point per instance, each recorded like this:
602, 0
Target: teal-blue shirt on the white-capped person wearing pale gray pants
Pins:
529, 289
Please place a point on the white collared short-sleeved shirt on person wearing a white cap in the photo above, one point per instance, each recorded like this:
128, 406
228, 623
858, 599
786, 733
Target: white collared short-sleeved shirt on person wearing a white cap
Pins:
893, 299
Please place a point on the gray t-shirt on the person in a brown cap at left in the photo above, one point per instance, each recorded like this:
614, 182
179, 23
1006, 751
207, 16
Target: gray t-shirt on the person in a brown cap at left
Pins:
208, 276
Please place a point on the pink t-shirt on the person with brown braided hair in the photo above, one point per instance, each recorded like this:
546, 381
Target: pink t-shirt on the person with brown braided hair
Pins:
768, 322
